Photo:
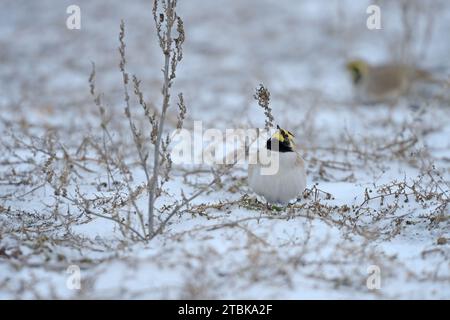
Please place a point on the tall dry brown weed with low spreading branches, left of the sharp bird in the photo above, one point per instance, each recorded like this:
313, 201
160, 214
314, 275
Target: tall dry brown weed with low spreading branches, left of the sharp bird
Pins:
170, 31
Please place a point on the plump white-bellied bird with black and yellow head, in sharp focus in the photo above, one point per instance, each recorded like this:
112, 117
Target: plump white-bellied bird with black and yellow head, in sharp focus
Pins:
288, 181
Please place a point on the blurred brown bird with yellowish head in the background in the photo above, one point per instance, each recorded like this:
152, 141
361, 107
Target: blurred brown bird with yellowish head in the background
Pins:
384, 83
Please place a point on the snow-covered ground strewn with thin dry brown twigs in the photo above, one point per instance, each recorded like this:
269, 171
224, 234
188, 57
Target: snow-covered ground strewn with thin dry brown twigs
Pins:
378, 175
